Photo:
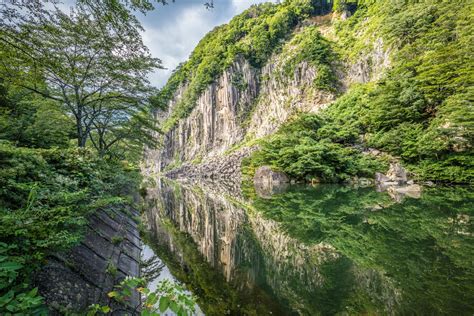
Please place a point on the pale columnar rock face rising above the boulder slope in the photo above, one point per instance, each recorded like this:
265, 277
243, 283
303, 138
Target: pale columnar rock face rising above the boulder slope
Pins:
231, 111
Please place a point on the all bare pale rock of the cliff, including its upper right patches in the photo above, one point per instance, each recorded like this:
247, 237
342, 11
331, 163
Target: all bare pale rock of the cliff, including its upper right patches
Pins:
246, 103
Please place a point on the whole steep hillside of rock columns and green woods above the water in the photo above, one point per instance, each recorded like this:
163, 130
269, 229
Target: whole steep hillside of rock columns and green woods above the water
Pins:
366, 72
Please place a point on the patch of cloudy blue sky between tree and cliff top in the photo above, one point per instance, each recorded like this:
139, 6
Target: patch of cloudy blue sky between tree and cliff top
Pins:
172, 31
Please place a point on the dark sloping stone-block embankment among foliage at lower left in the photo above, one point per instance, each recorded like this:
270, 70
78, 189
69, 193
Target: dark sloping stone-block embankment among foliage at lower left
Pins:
74, 280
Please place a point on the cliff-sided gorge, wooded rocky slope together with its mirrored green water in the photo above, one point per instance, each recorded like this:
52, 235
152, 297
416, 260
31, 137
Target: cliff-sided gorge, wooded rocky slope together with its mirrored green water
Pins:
331, 98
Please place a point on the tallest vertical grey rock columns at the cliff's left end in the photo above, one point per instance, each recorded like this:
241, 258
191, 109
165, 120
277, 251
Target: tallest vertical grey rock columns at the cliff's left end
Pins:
216, 122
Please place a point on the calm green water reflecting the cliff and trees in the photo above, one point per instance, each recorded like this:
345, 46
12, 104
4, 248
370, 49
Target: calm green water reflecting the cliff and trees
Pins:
321, 250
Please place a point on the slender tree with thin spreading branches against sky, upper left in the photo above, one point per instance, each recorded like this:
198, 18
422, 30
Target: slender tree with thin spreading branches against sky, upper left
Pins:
82, 62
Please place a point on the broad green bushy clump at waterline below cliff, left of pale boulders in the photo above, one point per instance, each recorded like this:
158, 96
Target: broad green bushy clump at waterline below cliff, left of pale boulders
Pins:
299, 149
